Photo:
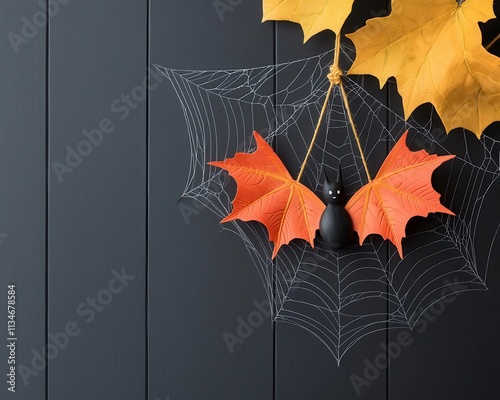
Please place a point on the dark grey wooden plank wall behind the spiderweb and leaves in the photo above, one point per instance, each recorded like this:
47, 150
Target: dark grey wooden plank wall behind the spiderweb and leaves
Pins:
103, 260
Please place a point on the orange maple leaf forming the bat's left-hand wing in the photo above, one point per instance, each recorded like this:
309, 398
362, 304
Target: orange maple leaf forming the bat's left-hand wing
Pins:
268, 194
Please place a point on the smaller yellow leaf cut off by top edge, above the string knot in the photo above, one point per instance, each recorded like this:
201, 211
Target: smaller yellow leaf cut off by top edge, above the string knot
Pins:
313, 15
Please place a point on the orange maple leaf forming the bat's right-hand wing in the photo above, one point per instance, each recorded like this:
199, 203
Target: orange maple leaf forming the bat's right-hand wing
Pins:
401, 190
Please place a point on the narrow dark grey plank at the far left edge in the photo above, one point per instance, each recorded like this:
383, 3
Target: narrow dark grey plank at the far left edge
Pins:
22, 203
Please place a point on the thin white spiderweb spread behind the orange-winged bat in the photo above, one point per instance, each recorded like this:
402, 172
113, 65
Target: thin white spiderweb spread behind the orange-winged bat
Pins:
339, 297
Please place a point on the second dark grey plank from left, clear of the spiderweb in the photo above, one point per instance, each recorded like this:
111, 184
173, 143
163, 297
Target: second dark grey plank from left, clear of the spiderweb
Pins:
97, 203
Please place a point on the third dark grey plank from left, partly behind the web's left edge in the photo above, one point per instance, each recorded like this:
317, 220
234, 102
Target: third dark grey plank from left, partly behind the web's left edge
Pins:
202, 280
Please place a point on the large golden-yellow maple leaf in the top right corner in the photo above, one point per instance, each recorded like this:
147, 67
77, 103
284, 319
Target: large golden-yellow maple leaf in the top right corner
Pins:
433, 49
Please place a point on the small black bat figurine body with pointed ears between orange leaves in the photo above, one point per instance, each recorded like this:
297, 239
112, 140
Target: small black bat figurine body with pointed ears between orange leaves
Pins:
335, 225
